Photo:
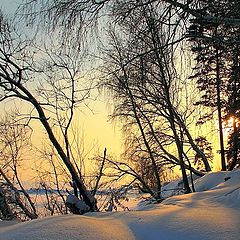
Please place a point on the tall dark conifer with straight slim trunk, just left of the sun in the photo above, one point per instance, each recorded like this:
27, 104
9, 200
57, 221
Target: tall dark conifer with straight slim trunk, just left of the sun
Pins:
212, 61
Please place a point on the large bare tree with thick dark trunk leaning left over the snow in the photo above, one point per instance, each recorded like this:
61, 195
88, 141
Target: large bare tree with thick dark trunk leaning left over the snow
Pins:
17, 71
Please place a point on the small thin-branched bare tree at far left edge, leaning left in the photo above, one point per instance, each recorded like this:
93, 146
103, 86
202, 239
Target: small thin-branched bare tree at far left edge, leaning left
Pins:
14, 143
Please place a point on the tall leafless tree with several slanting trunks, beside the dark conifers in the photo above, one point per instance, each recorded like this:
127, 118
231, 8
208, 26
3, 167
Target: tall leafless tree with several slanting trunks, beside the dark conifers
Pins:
144, 81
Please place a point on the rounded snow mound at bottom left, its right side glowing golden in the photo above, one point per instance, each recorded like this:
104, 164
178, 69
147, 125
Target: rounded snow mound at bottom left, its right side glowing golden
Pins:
73, 227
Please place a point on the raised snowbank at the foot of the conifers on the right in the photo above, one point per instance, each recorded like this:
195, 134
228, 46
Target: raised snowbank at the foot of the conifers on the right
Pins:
215, 188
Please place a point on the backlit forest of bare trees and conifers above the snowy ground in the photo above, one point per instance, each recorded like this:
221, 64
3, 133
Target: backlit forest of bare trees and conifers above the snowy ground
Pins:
170, 69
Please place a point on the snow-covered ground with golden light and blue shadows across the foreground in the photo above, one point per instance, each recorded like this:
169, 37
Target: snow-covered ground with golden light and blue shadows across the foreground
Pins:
211, 213
